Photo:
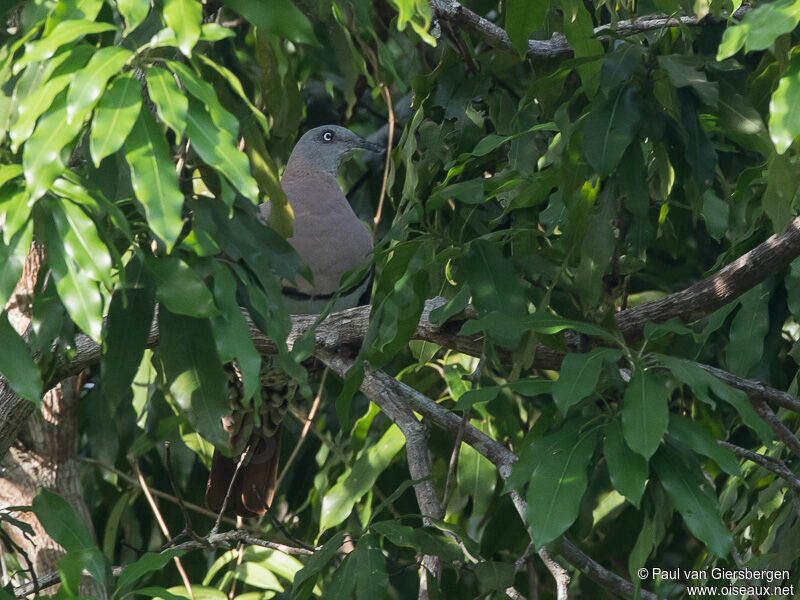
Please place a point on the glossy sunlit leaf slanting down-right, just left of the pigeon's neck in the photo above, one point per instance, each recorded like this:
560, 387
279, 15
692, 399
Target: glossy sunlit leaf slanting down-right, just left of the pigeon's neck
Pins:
218, 149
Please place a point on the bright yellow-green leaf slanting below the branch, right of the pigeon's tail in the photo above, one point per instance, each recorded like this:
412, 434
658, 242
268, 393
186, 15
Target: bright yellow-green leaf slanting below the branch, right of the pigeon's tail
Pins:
351, 486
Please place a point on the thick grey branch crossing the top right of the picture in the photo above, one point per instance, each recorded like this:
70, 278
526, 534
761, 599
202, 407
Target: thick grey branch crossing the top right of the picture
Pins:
557, 45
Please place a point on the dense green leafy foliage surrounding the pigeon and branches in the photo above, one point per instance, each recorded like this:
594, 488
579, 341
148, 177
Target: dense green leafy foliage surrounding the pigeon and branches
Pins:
550, 192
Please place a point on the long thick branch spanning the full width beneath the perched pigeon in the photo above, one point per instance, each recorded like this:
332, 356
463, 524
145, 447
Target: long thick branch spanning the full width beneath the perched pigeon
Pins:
348, 327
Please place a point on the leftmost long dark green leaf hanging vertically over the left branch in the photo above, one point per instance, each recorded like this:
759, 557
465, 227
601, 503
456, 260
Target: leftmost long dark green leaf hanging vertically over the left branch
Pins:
130, 316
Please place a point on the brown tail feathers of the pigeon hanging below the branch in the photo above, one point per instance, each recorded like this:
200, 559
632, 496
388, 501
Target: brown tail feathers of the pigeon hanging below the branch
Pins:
253, 488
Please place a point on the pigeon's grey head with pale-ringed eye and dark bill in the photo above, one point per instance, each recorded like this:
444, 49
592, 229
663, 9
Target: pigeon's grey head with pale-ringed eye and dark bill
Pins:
325, 148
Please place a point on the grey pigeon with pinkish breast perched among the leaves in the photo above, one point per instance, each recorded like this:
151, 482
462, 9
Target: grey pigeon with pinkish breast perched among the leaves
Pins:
332, 240
